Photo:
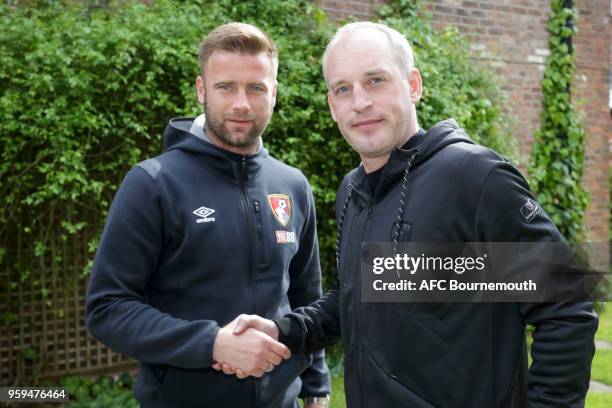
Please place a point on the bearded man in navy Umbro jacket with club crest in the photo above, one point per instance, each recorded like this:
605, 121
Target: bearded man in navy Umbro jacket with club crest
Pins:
193, 239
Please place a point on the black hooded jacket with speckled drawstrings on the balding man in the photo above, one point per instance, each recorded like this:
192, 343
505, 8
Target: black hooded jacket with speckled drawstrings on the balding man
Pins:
444, 355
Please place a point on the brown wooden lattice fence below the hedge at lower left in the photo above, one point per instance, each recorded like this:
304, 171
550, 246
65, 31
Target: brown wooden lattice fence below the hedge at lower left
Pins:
42, 327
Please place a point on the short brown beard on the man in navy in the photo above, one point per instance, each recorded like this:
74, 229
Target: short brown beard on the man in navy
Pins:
215, 123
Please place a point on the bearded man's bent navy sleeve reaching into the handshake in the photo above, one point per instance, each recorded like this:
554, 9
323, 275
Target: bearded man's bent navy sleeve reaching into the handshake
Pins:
117, 312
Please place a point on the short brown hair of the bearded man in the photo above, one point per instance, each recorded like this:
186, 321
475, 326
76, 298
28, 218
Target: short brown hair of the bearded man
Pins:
240, 38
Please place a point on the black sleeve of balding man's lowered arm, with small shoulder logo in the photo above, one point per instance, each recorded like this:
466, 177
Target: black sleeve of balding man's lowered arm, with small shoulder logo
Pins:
563, 340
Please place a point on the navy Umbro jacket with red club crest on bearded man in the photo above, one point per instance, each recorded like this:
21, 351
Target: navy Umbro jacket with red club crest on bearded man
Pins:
191, 241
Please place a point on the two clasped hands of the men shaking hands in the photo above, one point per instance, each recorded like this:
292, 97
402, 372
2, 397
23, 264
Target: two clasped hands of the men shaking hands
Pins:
248, 346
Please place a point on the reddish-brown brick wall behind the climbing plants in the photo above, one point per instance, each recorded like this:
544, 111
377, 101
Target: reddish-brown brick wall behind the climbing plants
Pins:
510, 37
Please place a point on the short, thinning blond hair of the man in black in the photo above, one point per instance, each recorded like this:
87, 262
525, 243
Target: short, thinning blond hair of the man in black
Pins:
399, 44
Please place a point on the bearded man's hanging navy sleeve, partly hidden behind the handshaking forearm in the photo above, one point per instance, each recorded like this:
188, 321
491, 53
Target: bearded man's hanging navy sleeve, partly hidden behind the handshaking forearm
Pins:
304, 288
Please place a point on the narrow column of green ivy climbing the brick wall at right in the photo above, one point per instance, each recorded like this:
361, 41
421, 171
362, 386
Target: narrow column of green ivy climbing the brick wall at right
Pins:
557, 156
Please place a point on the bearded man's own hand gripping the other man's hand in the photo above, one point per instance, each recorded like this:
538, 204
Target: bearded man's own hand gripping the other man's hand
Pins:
250, 353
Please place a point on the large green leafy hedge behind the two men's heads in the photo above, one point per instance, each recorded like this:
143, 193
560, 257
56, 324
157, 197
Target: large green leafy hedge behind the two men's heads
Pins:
86, 91
